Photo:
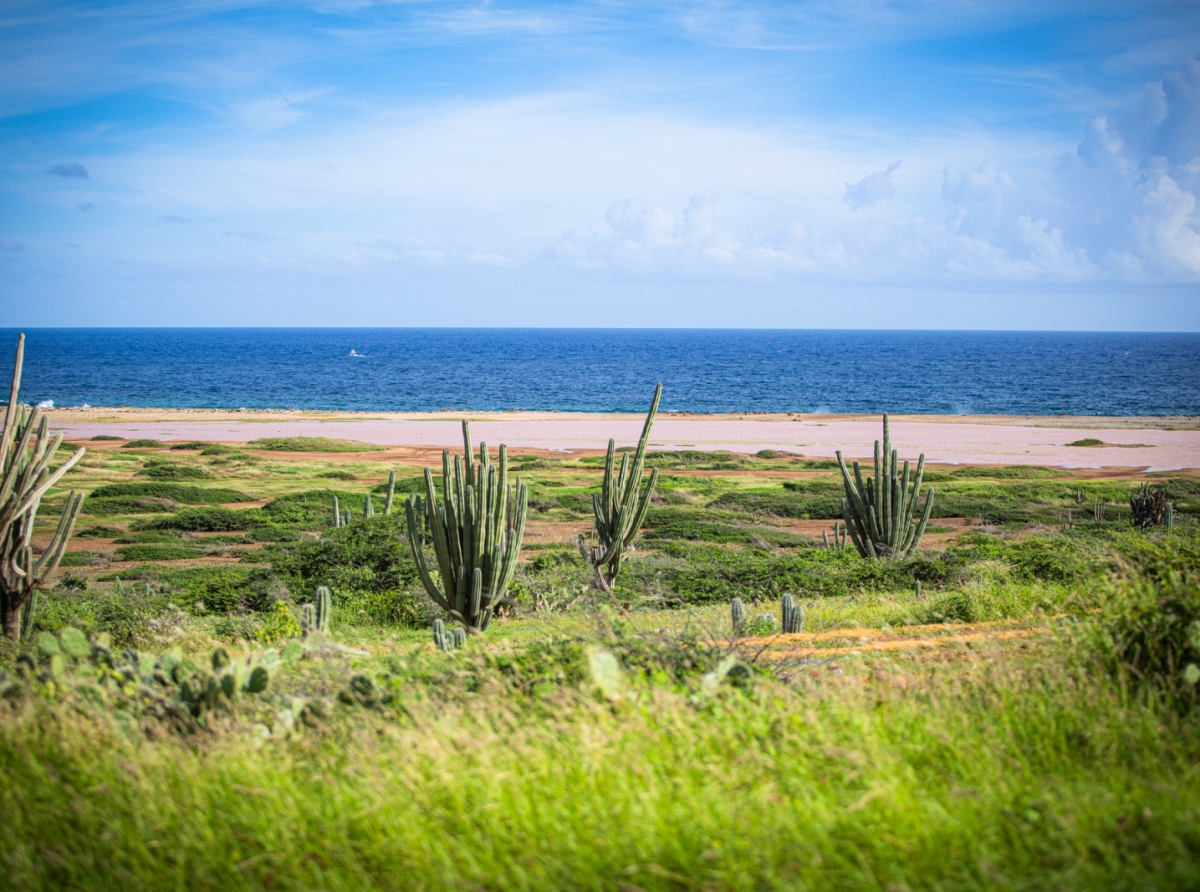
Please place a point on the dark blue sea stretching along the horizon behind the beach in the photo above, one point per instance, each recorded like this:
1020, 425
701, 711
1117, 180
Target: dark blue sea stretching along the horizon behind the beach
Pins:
598, 370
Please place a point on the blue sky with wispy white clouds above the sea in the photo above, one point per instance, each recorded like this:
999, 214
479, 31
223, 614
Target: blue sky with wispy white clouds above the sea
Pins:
838, 164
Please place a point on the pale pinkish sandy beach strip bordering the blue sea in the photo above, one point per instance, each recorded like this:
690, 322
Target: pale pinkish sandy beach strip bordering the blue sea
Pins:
1129, 444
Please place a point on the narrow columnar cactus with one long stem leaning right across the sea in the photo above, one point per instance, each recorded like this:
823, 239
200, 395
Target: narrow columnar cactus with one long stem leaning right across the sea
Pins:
619, 508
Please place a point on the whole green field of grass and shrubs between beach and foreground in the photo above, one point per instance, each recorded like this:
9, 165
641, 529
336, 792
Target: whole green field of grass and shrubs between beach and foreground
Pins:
1028, 722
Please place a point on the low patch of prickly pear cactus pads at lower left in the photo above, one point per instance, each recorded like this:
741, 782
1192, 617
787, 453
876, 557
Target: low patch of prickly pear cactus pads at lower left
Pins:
129, 684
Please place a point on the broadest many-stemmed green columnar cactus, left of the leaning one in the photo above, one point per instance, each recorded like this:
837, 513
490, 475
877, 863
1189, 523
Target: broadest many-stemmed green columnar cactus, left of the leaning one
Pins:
476, 534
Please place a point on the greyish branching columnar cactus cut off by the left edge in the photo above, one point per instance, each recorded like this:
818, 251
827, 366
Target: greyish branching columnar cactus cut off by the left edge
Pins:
27, 453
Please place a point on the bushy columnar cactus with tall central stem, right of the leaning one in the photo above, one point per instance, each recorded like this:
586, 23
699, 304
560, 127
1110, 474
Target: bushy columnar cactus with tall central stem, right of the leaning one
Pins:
881, 514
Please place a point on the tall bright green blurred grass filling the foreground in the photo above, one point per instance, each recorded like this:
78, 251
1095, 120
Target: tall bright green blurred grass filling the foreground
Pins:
993, 776
